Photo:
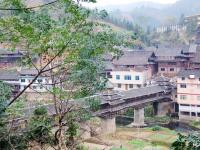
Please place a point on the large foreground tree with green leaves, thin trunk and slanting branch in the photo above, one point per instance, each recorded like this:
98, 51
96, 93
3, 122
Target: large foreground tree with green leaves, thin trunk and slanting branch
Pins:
62, 31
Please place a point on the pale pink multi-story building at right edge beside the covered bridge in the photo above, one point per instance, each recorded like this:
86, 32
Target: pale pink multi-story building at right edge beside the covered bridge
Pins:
188, 94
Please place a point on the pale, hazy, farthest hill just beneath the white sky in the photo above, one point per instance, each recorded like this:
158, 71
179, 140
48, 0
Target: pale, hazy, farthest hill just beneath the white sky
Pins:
153, 14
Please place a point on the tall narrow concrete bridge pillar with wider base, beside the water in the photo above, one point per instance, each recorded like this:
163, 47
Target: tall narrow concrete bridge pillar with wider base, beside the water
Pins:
138, 117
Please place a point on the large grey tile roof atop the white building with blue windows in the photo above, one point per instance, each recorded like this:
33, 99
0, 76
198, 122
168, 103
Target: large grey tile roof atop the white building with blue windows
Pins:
139, 57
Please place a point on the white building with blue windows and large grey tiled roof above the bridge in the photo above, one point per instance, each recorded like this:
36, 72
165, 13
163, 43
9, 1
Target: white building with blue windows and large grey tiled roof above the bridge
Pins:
133, 70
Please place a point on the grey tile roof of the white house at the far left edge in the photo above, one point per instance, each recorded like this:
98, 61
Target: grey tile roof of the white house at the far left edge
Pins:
9, 75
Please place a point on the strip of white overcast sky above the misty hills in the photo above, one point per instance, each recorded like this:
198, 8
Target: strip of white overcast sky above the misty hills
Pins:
119, 2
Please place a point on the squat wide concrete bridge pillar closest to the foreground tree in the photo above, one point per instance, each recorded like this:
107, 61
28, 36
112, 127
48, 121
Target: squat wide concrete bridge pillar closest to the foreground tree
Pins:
108, 125
